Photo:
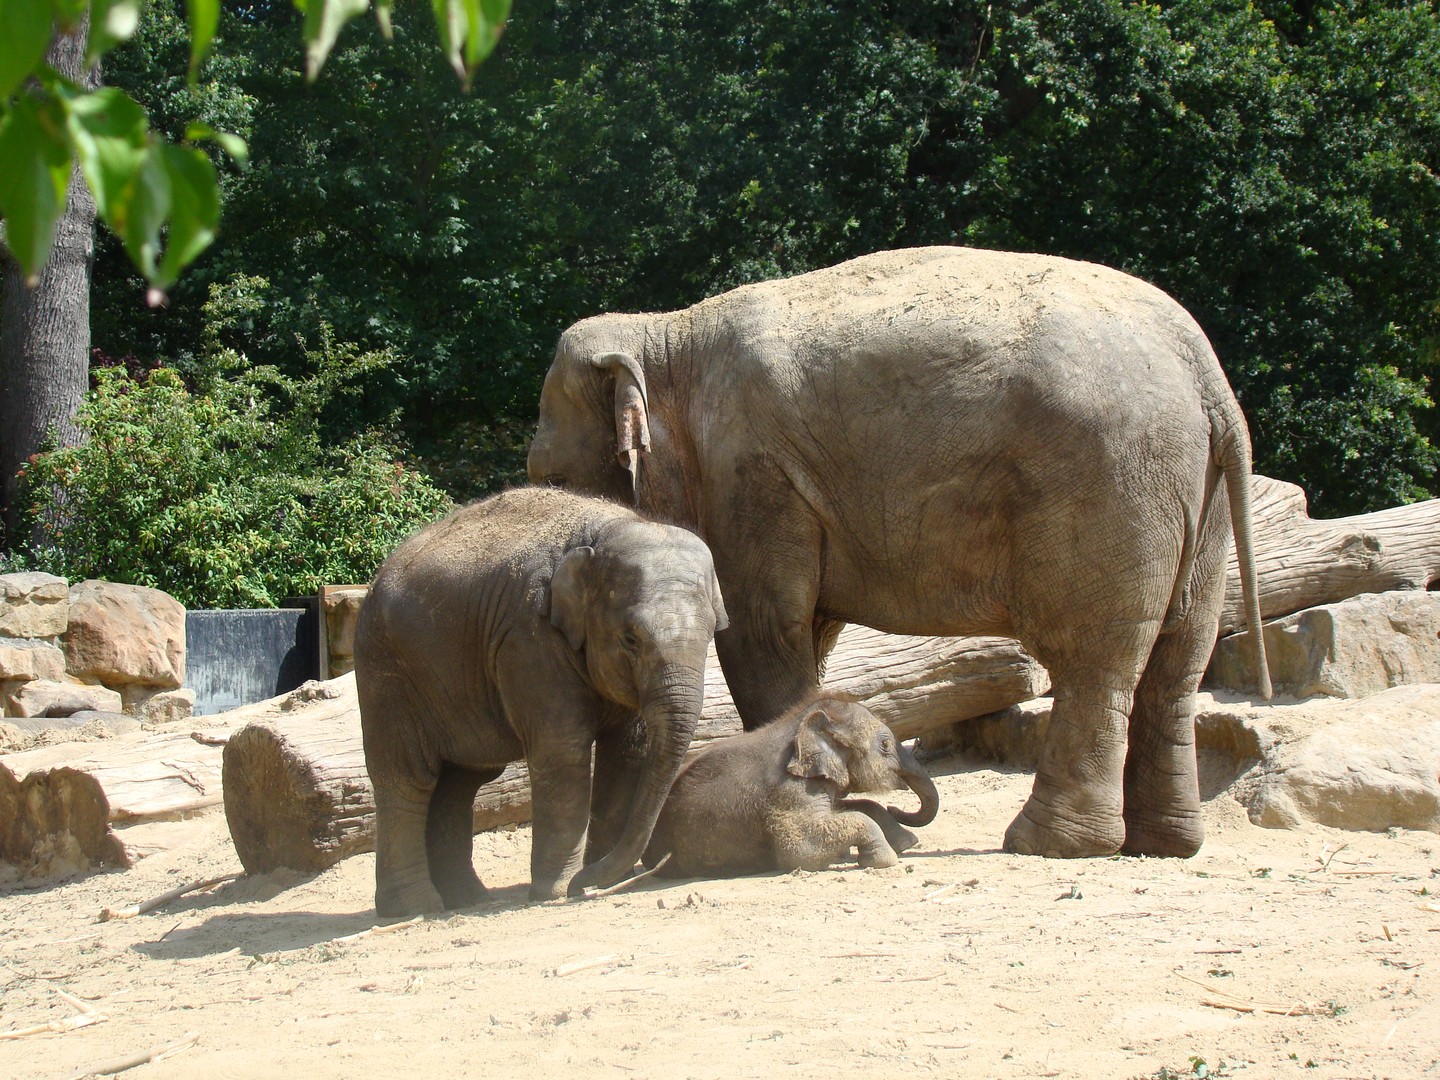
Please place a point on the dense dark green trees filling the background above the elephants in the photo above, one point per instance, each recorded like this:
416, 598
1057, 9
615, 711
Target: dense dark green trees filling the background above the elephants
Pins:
1271, 165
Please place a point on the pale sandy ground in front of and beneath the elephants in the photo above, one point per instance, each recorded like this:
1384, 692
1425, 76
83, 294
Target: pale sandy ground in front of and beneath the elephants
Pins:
1308, 954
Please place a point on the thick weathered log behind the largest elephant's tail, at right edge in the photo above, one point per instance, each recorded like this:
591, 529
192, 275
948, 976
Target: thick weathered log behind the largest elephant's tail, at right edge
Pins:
1304, 562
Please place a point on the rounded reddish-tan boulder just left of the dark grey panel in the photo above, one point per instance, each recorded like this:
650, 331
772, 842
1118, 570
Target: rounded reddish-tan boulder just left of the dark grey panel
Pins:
126, 634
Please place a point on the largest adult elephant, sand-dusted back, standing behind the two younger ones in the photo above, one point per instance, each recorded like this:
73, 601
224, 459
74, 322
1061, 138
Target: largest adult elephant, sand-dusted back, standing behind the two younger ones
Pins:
945, 441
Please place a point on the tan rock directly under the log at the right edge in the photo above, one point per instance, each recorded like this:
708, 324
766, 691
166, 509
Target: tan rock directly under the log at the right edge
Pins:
1353, 649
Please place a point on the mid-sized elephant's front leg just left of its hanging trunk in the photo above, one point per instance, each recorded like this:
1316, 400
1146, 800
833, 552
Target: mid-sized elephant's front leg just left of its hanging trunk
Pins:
561, 810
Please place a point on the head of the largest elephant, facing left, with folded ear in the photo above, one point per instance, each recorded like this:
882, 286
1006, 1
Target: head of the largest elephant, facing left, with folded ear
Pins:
594, 411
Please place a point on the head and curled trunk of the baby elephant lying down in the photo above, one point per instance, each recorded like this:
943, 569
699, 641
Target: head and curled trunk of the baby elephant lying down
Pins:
843, 744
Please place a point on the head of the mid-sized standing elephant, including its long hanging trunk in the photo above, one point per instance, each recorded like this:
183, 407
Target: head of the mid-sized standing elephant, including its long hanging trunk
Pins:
642, 607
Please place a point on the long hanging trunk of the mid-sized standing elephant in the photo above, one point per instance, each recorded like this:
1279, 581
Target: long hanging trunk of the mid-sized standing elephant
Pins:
670, 709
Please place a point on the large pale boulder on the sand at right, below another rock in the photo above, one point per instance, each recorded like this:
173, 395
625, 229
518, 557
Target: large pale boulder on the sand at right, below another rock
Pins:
1354, 765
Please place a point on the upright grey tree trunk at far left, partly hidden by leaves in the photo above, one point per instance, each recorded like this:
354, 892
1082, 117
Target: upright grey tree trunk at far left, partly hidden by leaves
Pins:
45, 329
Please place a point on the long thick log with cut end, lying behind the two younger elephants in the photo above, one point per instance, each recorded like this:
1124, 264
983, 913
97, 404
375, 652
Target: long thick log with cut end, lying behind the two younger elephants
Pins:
297, 793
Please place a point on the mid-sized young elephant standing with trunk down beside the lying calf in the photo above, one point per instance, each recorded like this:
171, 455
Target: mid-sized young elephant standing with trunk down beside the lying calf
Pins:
532, 626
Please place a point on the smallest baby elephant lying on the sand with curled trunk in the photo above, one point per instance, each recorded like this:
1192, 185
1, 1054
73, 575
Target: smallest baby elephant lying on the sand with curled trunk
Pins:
775, 798
